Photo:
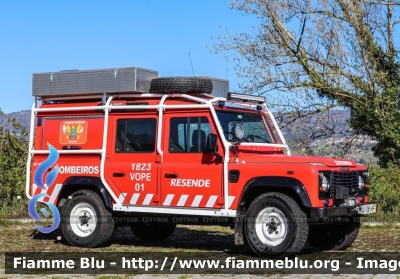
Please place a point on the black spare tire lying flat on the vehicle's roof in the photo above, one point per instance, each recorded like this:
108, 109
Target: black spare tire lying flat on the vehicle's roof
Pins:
181, 85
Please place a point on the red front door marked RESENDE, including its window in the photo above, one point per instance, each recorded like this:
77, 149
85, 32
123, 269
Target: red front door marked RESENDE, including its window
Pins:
190, 177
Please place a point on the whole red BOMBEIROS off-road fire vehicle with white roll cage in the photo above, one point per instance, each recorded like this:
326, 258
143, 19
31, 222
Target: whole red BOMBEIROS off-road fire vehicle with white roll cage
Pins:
157, 152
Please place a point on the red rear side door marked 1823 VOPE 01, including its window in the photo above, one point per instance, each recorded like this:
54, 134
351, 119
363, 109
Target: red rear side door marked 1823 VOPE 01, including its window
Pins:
131, 164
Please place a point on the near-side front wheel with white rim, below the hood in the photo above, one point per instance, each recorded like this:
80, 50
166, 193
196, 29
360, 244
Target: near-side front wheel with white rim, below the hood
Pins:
275, 226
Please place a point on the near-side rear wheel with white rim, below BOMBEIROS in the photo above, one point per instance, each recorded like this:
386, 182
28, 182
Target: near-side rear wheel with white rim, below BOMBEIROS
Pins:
100, 226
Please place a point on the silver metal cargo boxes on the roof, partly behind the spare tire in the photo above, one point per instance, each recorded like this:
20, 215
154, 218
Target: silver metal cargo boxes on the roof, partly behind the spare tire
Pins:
94, 84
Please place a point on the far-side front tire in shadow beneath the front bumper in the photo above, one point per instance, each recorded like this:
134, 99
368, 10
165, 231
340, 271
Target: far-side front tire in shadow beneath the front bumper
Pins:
336, 236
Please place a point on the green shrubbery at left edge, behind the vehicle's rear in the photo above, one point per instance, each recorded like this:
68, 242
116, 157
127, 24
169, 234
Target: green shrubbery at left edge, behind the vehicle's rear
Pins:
13, 154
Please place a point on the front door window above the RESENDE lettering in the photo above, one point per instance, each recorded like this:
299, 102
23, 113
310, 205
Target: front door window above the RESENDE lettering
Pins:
188, 134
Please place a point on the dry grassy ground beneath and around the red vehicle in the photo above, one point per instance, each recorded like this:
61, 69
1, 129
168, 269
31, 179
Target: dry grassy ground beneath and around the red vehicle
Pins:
23, 237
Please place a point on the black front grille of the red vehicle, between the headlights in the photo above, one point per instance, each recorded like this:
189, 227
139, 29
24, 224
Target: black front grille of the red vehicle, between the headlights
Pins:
344, 184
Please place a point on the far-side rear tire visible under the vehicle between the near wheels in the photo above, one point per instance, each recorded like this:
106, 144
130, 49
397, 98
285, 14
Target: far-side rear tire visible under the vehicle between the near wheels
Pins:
152, 231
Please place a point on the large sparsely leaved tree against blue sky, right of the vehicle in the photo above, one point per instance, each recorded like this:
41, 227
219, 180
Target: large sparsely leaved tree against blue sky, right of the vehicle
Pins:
318, 55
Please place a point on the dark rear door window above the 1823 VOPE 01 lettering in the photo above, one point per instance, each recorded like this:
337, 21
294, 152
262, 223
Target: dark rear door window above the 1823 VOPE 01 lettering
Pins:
136, 135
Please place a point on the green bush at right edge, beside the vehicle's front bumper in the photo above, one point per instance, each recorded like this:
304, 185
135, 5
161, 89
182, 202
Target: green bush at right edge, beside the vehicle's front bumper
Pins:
385, 191
